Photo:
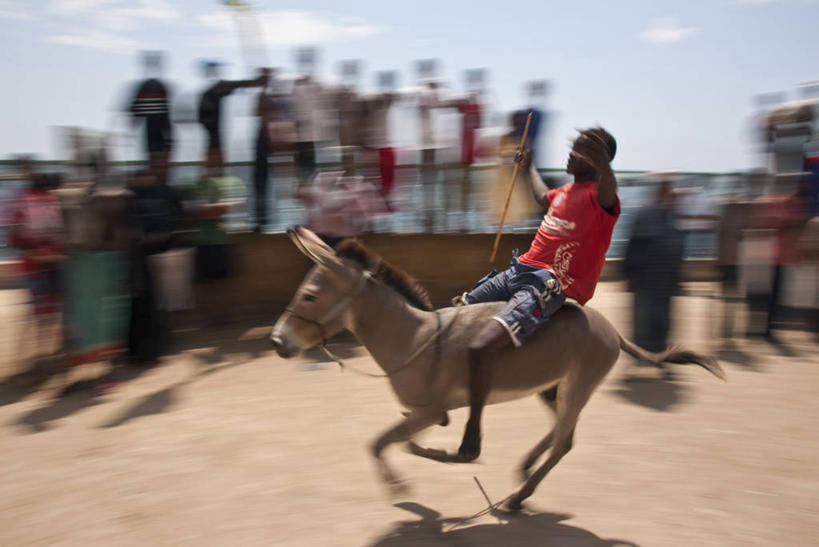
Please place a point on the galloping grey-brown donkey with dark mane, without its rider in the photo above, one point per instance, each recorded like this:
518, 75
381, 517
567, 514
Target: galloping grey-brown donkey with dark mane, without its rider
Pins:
423, 352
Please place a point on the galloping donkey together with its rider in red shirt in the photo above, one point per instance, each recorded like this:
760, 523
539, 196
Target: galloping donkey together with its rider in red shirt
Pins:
445, 359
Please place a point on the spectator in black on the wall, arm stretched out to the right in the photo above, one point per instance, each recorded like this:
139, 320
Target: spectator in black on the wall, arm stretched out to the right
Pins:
210, 108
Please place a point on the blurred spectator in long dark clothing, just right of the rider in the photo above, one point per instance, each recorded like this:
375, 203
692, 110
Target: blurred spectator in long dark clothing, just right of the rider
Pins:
652, 267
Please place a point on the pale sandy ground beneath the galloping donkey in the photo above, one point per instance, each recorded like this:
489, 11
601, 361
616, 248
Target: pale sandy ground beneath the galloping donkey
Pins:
224, 443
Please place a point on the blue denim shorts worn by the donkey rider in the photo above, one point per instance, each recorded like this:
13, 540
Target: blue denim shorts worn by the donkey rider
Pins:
533, 295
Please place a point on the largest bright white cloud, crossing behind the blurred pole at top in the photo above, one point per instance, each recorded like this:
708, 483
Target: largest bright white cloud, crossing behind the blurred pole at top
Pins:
285, 28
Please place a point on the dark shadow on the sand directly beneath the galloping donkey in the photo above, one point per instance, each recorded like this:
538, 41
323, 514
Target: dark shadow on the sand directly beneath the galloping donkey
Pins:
511, 530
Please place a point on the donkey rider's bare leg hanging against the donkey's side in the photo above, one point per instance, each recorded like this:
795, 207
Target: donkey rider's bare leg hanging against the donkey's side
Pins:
492, 338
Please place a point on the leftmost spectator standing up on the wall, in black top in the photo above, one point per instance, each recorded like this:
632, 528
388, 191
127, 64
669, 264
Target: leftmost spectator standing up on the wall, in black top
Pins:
151, 104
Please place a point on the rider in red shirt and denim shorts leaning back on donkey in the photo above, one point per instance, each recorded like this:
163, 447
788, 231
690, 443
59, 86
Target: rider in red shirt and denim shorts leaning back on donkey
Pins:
564, 261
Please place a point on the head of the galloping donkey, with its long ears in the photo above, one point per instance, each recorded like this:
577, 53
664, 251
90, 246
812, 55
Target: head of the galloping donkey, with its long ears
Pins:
318, 309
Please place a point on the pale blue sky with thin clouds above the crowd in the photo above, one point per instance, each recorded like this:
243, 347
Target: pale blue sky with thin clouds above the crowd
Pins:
674, 81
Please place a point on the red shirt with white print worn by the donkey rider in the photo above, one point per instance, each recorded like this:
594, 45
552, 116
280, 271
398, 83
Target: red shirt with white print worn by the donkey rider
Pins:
573, 238
